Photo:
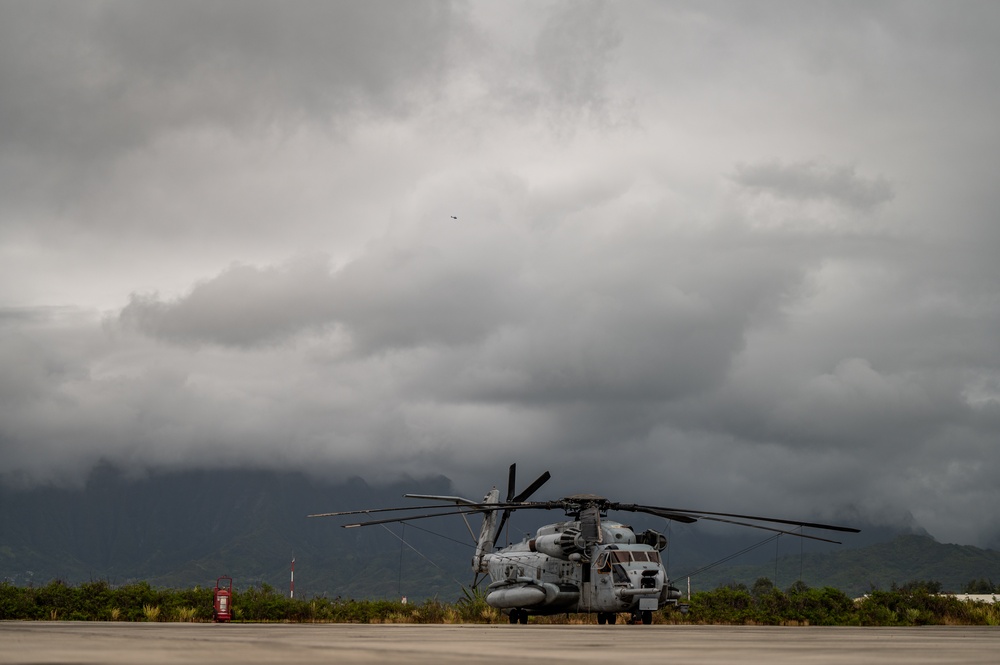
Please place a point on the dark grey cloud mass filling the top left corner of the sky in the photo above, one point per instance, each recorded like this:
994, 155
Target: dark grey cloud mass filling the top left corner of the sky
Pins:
85, 84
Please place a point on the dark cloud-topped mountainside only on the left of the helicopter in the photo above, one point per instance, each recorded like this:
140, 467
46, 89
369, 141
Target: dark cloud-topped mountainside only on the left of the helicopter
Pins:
185, 529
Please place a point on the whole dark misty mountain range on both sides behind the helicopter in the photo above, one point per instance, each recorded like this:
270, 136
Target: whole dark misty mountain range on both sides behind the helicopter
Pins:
187, 528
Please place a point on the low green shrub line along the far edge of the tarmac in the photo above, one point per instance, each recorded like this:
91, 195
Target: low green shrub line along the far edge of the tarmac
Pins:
916, 603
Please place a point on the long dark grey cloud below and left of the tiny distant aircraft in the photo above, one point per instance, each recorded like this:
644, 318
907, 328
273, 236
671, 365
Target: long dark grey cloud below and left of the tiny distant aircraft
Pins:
390, 298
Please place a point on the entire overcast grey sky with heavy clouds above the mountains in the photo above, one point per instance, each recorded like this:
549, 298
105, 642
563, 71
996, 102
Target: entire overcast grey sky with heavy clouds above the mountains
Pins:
717, 255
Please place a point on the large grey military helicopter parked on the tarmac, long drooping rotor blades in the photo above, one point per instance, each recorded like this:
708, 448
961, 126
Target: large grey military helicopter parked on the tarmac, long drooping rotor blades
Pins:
585, 564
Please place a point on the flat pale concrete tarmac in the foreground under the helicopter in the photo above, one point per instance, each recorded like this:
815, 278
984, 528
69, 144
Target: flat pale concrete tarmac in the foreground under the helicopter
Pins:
169, 643
